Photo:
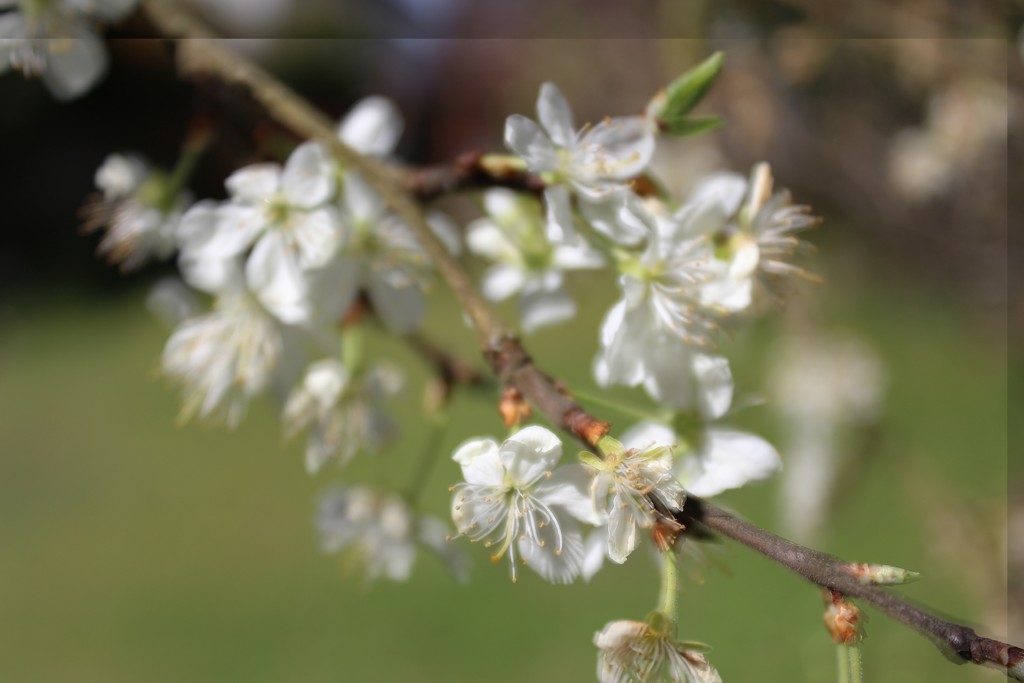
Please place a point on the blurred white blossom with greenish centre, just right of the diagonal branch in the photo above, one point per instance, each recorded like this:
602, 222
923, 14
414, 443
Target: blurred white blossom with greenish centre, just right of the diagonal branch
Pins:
529, 261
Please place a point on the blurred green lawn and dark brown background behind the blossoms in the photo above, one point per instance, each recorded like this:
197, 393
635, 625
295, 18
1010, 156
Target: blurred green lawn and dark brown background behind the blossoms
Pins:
133, 549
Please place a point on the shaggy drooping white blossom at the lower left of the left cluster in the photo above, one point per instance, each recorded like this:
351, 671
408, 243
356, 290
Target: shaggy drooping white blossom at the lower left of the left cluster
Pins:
225, 358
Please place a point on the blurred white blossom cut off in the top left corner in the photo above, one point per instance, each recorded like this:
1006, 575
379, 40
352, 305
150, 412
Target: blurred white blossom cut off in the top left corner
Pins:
56, 40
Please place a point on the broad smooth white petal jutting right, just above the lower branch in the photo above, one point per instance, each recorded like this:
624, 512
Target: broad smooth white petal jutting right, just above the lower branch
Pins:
732, 459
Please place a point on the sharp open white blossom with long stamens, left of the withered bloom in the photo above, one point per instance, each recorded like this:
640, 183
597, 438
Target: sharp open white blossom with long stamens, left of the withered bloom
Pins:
515, 499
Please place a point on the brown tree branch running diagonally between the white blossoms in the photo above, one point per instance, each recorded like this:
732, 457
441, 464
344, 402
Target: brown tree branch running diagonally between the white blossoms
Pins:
201, 56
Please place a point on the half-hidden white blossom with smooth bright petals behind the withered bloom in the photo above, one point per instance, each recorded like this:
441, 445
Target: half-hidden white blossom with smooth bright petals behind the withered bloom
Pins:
716, 459
